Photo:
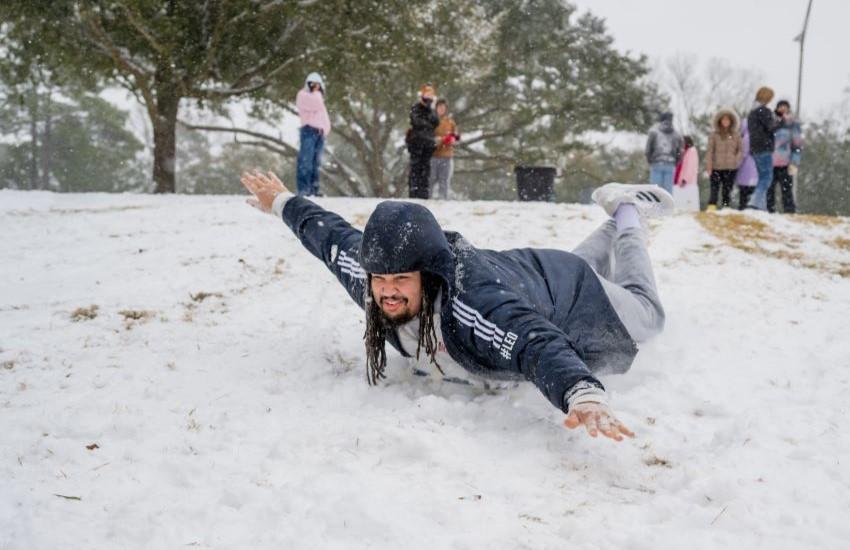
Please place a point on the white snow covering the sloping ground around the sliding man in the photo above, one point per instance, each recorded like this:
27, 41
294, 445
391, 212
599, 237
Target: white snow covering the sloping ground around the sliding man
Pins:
241, 418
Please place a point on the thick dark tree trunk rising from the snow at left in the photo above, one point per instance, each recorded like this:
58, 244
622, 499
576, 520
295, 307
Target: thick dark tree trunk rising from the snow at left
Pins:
164, 137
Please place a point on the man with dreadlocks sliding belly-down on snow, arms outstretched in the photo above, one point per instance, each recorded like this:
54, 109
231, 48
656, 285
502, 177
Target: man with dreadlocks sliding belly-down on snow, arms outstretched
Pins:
548, 316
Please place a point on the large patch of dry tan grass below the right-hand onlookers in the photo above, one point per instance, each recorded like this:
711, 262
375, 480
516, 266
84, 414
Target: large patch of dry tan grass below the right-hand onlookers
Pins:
756, 237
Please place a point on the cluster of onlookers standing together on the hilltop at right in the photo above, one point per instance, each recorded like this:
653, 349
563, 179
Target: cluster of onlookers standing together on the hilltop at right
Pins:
757, 155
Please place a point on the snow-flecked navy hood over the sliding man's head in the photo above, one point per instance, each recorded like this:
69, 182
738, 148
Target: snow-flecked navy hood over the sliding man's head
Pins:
401, 237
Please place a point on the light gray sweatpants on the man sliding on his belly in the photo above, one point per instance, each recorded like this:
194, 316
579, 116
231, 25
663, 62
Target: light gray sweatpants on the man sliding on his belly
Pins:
622, 264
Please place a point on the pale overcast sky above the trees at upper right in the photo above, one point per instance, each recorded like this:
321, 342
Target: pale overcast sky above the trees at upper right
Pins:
748, 33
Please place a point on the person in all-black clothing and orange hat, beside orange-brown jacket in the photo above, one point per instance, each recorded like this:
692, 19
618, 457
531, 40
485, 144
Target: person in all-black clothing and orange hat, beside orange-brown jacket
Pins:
421, 142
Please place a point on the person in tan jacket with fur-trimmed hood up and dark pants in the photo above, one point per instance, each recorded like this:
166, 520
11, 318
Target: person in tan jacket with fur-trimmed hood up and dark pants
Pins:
724, 155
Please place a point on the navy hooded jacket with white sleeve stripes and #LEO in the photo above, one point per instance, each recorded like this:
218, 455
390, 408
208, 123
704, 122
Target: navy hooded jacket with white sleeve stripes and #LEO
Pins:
535, 313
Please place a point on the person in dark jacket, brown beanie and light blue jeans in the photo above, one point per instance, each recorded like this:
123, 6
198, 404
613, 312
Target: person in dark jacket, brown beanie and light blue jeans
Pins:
761, 124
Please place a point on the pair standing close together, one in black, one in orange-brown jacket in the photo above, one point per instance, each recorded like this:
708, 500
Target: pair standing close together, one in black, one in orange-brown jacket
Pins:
430, 142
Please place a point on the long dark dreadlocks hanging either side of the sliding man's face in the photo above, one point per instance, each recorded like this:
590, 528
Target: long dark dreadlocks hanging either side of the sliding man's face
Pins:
377, 324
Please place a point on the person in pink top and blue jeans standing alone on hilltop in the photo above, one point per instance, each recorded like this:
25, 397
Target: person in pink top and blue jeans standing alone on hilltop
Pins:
315, 127
